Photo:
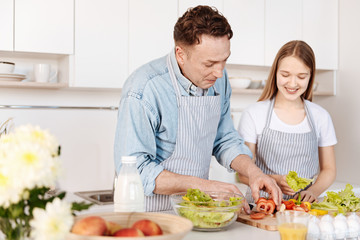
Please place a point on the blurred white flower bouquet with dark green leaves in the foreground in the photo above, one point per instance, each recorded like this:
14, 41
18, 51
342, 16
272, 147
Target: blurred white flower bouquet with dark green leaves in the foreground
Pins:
29, 168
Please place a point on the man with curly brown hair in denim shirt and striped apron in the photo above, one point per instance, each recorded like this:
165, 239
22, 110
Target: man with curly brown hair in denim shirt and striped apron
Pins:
174, 115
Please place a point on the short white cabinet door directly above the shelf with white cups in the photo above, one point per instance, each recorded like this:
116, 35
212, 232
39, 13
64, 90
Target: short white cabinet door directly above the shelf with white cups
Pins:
44, 26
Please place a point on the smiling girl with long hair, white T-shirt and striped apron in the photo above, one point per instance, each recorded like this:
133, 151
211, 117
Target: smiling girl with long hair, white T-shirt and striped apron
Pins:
286, 131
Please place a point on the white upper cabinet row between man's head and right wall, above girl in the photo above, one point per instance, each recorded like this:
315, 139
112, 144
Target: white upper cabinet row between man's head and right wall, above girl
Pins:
261, 27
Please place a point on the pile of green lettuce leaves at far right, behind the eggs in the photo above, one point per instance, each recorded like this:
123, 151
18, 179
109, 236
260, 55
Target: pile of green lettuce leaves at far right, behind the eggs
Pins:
343, 201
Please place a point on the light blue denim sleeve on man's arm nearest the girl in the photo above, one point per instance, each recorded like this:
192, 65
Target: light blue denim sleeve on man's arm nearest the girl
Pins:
228, 143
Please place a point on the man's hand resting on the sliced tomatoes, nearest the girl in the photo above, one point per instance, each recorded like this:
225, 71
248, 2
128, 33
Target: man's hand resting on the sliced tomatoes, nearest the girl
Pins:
261, 181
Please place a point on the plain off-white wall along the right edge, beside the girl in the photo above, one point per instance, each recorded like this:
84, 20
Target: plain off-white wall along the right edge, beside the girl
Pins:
344, 107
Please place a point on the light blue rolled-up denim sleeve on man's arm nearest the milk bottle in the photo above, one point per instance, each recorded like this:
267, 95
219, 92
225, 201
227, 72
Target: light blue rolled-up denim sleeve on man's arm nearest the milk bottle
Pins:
135, 136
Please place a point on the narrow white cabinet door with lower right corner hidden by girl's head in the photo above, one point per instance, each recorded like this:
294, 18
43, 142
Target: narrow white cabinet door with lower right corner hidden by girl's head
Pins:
282, 24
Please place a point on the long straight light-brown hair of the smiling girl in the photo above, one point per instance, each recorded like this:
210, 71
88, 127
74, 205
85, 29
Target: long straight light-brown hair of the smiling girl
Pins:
300, 50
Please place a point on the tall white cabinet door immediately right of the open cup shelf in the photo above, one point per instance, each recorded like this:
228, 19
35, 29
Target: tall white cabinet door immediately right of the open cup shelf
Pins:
101, 41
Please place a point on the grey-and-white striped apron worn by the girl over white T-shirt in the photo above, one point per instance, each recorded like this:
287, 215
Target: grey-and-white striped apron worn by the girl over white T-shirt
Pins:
280, 152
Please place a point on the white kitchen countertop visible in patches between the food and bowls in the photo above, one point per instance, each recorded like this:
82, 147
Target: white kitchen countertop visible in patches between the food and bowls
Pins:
235, 231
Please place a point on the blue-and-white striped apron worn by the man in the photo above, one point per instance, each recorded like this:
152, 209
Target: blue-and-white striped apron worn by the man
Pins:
198, 119
